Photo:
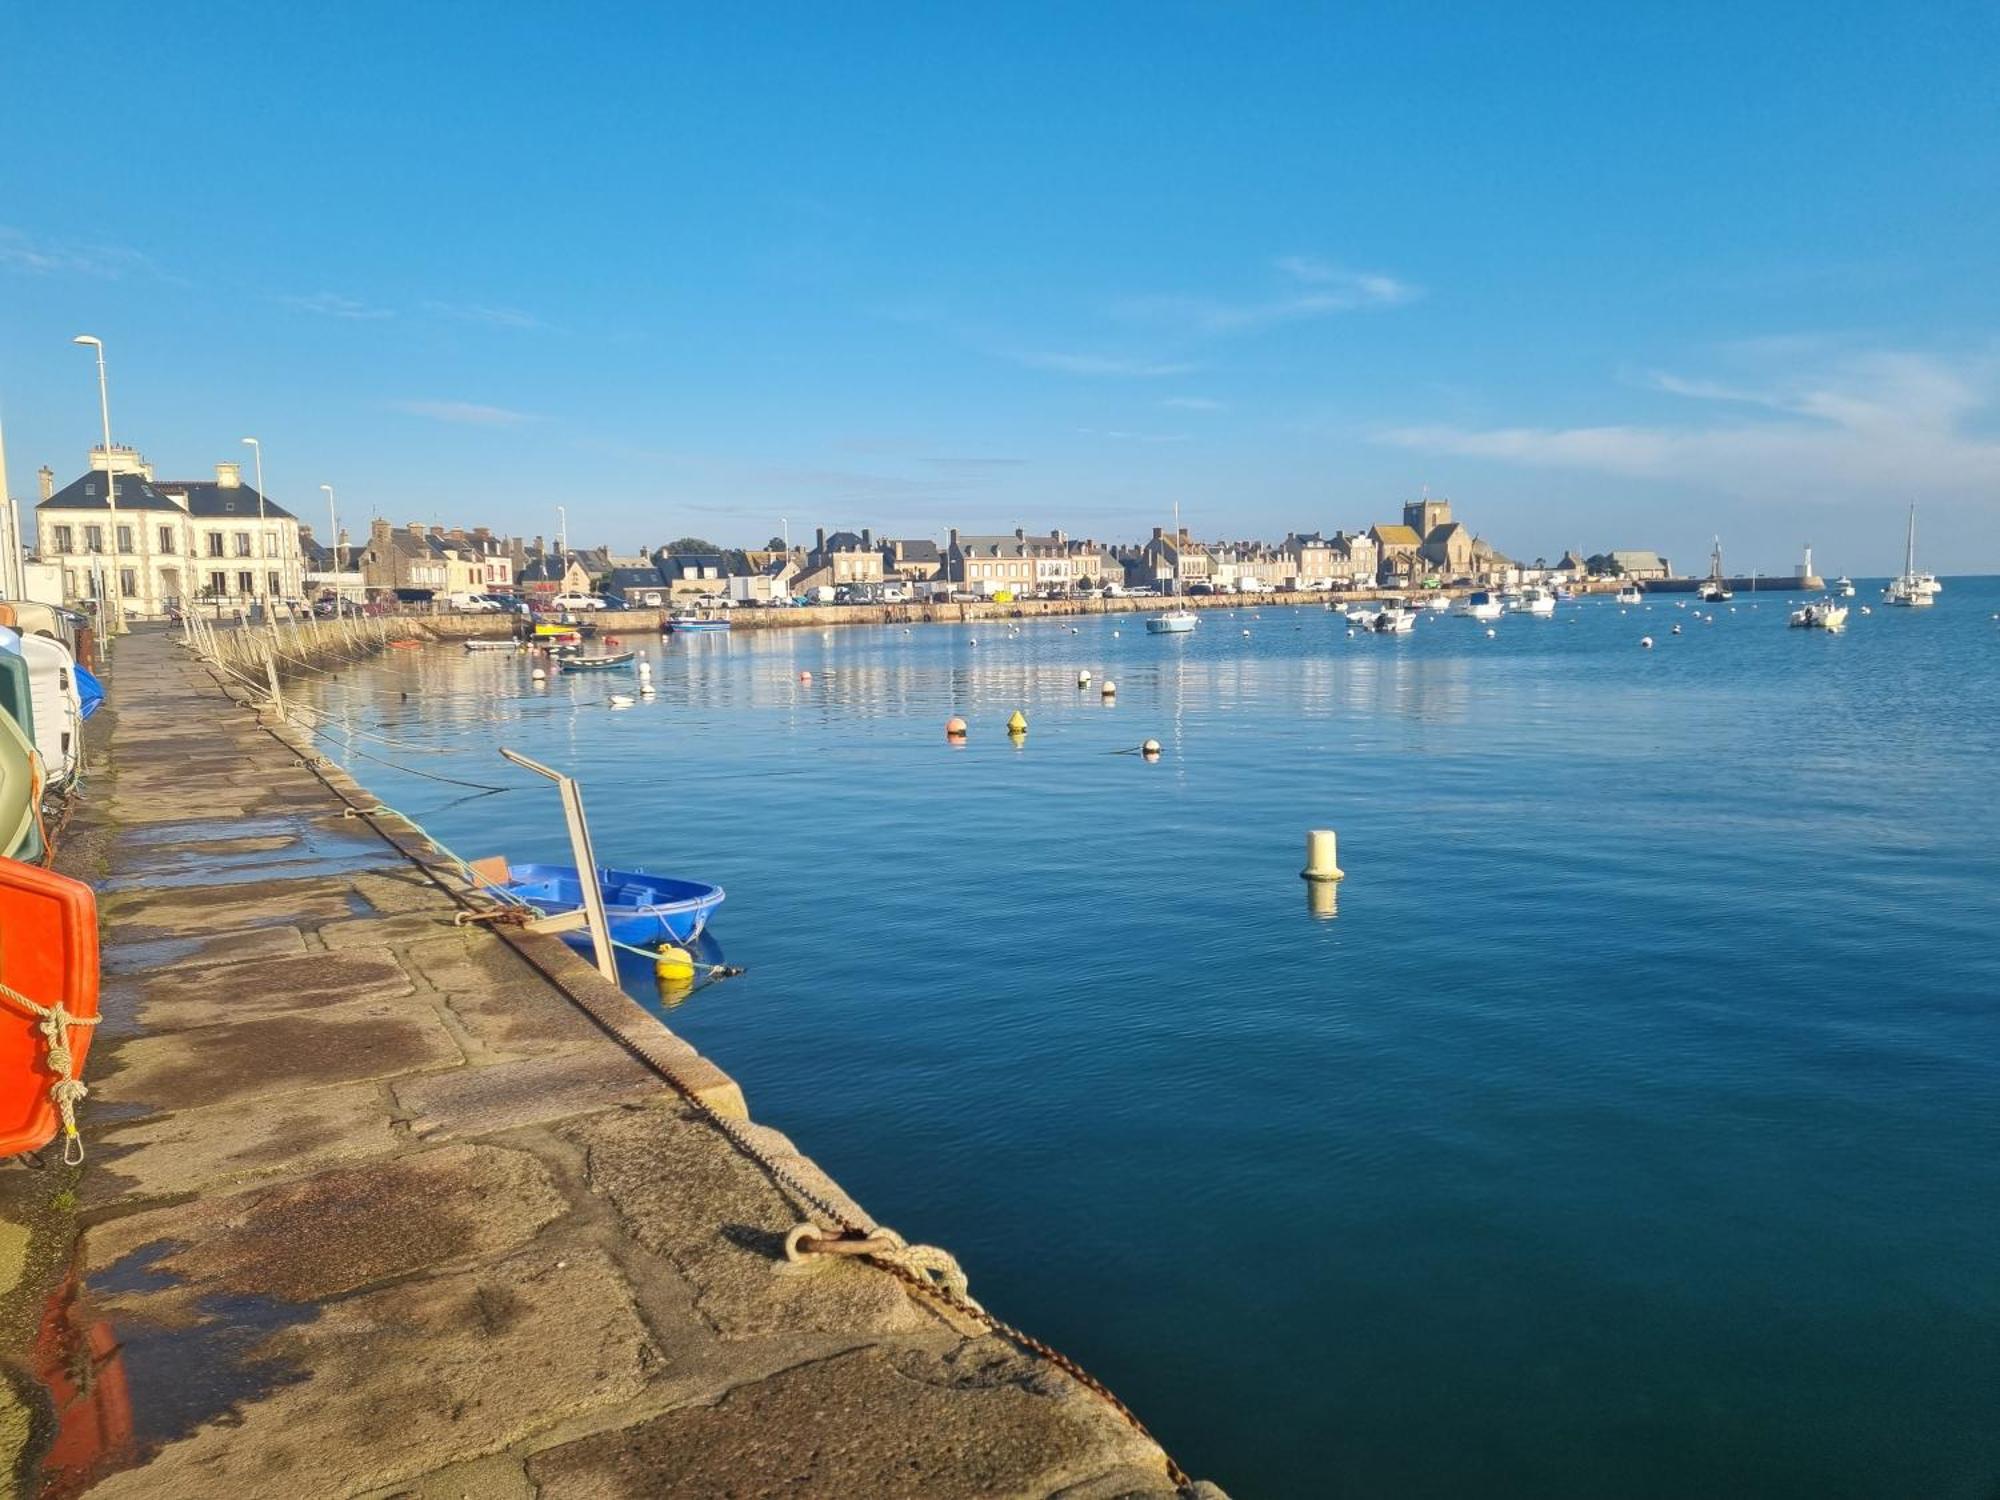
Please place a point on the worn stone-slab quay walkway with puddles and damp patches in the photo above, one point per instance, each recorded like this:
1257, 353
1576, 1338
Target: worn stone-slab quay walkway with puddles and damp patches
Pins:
375, 1209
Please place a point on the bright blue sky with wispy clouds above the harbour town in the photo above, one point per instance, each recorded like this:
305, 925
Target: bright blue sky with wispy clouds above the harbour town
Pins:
1603, 275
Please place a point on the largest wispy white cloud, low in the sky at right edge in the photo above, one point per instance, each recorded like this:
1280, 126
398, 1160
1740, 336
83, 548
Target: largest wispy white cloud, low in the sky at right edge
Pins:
1877, 423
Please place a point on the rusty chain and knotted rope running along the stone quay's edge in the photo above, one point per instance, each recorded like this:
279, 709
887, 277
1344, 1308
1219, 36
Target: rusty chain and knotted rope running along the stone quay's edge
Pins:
927, 1271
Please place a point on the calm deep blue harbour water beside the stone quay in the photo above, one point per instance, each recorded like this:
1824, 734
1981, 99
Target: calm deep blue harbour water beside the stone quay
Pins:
1633, 1129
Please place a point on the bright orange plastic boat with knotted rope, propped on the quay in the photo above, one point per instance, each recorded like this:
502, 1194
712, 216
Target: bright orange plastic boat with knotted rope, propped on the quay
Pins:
49, 955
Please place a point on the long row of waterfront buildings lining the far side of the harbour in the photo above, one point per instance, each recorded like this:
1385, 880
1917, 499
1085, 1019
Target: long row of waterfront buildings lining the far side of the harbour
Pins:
219, 539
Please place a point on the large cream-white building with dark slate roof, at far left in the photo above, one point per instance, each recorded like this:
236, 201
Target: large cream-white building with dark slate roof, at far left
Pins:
175, 541
